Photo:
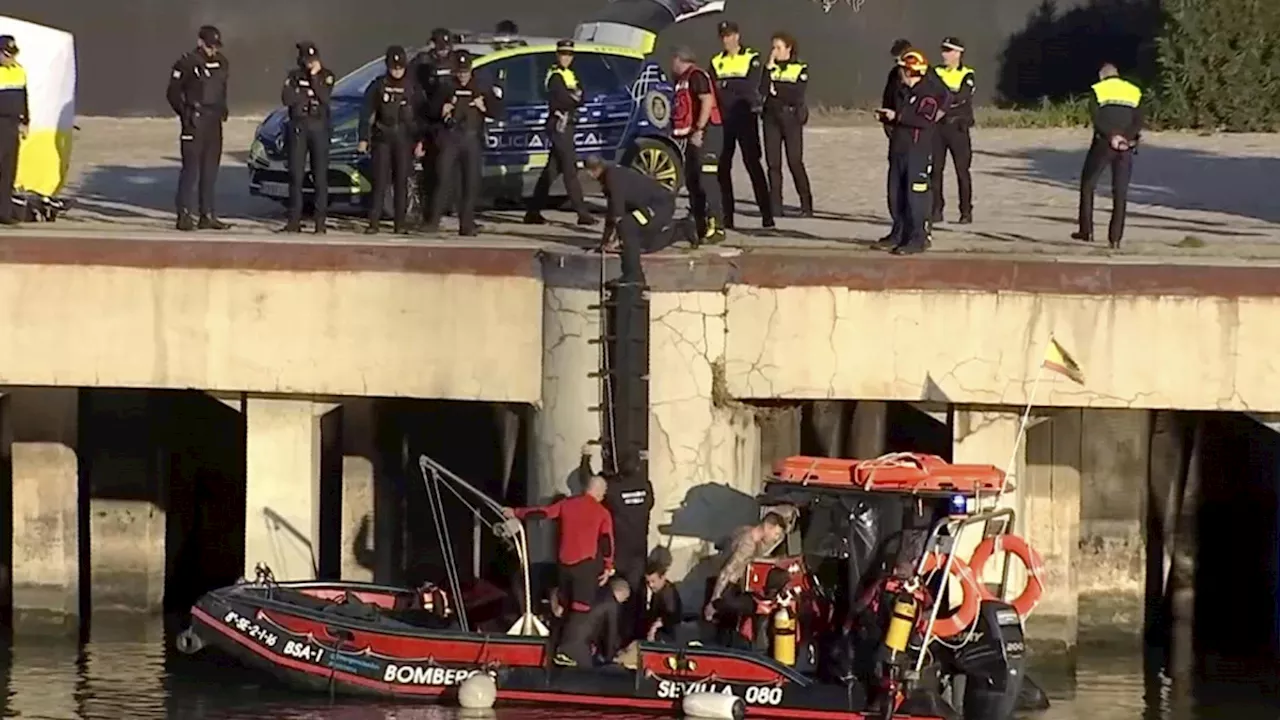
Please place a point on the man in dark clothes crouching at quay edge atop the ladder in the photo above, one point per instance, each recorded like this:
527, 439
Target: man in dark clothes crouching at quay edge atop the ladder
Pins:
641, 217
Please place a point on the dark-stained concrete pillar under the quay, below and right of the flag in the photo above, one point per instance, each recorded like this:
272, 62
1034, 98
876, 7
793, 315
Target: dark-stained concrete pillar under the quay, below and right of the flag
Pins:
1117, 458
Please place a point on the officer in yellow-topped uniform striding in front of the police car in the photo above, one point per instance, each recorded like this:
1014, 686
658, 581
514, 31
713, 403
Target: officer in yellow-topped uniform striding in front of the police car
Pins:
565, 94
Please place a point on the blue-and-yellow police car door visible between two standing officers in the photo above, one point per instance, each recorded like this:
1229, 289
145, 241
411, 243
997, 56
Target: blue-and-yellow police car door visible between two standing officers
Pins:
509, 156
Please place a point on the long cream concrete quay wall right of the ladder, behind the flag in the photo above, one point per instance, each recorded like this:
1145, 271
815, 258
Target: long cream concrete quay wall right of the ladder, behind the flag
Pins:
985, 348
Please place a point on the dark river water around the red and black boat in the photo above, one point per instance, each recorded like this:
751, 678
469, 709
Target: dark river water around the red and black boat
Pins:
129, 680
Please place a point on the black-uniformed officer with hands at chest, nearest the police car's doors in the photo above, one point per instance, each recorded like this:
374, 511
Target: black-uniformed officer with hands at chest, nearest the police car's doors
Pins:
463, 107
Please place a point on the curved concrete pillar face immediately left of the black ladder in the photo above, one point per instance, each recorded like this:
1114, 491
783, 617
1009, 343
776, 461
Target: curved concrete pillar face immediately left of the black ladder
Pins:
566, 420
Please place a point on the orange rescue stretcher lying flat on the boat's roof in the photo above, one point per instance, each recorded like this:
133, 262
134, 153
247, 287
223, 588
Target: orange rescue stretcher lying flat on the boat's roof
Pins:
899, 472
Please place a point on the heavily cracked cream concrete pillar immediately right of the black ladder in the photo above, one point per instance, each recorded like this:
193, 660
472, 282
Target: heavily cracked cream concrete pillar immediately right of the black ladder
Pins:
705, 458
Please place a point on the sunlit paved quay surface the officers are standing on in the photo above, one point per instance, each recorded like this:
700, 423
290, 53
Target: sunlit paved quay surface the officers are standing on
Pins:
1195, 199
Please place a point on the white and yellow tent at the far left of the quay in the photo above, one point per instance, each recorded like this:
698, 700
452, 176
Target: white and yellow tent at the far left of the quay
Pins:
49, 57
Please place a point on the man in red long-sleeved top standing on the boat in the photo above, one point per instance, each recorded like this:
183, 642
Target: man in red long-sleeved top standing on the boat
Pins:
586, 543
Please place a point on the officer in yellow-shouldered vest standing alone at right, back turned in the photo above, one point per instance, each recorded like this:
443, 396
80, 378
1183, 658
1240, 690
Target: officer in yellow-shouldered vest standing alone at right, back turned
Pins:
1117, 131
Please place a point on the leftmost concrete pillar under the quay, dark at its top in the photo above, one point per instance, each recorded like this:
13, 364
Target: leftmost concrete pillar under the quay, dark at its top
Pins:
47, 575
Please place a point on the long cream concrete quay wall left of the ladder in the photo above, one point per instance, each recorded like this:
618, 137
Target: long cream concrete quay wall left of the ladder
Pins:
390, 335
